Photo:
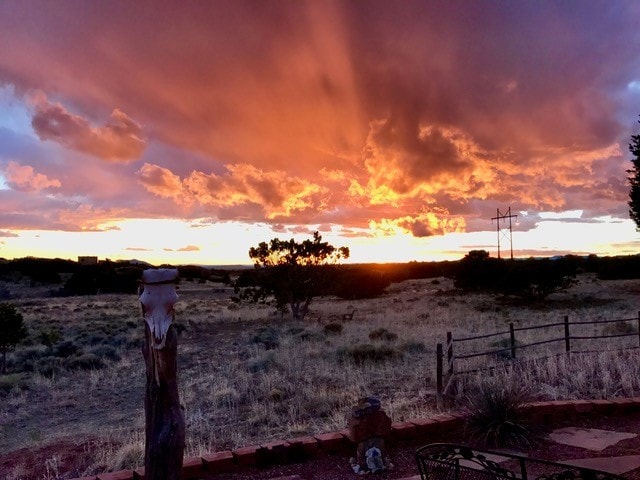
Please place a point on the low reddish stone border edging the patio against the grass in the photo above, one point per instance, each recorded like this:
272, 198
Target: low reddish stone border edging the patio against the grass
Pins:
426, 429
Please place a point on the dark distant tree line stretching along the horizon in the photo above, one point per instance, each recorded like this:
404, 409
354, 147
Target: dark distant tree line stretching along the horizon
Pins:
529, 278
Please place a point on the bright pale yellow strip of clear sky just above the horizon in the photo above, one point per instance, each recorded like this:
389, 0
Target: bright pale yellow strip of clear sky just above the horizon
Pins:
227, 243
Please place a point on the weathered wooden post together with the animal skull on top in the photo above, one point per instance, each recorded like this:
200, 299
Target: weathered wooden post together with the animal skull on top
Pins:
165, 426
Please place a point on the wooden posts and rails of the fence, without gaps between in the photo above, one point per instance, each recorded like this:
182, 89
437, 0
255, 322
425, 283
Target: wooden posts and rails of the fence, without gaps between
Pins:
447, 360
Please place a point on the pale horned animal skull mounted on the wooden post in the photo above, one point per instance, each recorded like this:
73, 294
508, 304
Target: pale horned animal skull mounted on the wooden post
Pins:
157, 299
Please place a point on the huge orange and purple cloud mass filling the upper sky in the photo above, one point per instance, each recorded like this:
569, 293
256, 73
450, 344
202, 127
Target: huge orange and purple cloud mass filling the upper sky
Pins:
336, 113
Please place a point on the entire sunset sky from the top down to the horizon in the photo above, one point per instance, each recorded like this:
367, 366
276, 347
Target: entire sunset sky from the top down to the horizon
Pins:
187, 132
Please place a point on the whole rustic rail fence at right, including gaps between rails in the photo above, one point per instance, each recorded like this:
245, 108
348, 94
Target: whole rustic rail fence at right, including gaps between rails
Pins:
469, 354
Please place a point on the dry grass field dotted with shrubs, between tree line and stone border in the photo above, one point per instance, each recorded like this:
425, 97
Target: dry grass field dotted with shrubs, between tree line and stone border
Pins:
248, 375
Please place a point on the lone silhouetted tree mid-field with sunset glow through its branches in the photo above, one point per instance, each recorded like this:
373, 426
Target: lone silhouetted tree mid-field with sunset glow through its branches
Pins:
289, 274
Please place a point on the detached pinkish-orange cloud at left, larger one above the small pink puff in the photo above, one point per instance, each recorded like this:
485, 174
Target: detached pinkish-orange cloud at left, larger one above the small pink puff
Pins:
120, 139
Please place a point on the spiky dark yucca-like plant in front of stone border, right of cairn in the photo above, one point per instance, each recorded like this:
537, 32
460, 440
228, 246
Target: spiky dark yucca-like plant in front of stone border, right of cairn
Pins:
495, 417
